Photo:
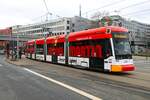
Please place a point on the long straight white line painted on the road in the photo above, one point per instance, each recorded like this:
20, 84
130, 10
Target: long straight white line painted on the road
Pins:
92, 97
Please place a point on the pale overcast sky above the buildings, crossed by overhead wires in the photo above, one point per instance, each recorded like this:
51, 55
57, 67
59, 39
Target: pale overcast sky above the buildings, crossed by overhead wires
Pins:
18, 12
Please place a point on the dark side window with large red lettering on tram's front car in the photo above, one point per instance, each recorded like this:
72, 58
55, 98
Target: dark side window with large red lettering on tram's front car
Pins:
86, 49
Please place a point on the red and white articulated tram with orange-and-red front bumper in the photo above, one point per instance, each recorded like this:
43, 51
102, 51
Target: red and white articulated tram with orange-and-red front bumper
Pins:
105, 48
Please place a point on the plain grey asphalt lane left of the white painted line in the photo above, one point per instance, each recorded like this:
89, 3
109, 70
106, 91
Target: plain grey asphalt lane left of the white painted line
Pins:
18, 84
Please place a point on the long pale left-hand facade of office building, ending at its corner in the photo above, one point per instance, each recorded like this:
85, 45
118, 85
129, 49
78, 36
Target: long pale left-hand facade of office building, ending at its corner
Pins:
37, 30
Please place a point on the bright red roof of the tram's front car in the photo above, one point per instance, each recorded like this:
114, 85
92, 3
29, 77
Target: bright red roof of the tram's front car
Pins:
97, 33
